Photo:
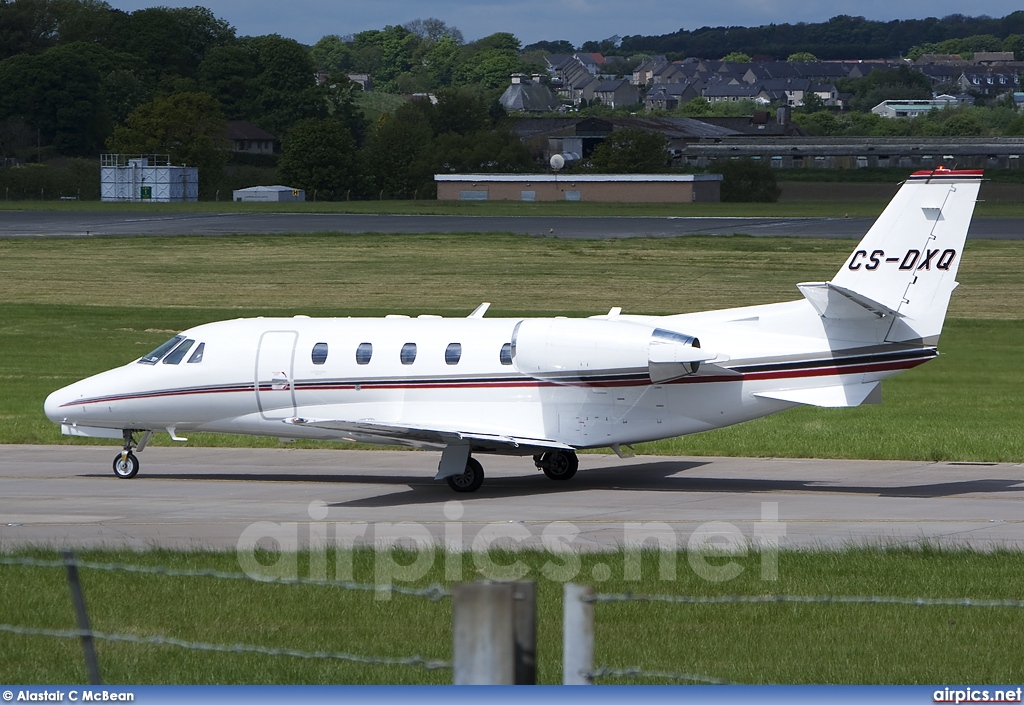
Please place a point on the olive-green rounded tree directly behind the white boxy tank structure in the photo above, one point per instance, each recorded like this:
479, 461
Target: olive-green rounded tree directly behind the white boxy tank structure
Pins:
189, 128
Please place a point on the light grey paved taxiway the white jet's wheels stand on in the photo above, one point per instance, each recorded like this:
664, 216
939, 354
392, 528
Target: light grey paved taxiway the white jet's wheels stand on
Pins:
67, 495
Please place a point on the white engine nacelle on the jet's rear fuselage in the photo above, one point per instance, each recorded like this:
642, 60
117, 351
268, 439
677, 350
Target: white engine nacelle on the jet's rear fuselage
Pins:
571, 350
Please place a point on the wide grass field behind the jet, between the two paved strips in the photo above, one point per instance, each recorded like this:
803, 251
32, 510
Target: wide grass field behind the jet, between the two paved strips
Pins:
75, 308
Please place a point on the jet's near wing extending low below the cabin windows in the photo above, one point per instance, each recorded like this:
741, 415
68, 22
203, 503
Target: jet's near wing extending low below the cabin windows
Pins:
424, 437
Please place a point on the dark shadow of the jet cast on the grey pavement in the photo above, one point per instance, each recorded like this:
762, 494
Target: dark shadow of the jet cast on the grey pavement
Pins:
654, 477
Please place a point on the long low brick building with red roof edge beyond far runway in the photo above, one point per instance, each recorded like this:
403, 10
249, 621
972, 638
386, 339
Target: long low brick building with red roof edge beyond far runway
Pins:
599, 188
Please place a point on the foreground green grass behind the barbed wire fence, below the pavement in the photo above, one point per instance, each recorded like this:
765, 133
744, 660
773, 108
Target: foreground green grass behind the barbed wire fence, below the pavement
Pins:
758, 644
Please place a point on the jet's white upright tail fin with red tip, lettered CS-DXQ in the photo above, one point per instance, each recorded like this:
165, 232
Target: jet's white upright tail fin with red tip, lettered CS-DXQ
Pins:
908, 262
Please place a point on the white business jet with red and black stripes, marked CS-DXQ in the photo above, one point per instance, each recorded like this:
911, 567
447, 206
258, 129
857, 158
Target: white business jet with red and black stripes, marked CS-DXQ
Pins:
547, 388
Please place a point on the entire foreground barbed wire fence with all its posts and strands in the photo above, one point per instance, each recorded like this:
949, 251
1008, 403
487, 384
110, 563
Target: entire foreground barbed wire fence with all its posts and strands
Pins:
494, 624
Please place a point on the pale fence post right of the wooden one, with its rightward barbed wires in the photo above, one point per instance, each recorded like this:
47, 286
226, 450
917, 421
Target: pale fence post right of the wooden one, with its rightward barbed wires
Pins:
579, 626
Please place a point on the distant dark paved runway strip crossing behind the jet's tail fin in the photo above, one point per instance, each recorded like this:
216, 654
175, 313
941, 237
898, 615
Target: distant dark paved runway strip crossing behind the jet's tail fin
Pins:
72, 225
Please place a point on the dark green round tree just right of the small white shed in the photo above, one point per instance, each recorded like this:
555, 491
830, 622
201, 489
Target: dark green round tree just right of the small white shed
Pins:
320, 155
